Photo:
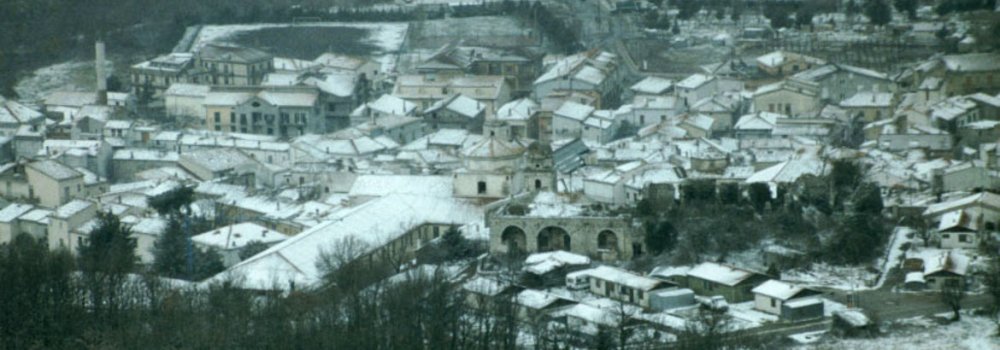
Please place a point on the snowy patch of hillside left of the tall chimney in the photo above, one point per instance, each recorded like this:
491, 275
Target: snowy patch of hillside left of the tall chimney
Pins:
67, 76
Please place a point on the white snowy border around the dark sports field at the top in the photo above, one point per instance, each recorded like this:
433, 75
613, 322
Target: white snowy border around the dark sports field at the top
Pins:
388, 37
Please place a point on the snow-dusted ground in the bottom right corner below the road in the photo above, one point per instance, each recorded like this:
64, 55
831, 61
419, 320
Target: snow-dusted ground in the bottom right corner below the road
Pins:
972, 333
